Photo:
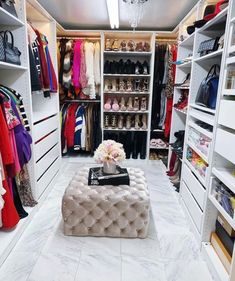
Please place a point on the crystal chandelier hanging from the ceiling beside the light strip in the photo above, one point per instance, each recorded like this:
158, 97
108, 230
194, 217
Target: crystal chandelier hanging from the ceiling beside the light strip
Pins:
135, 9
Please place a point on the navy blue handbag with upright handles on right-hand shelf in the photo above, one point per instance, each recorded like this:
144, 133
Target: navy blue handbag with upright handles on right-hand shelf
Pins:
207, 92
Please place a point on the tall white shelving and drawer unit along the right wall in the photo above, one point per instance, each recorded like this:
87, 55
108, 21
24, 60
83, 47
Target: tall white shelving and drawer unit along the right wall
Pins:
200, 195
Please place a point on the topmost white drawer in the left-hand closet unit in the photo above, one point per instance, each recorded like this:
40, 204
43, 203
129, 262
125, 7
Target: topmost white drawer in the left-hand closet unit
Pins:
45, 127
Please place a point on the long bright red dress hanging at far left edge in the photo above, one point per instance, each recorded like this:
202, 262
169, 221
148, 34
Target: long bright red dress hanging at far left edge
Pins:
10, 217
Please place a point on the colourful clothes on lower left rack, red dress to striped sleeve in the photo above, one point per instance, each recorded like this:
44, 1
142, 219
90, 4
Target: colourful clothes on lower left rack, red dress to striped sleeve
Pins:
15, 153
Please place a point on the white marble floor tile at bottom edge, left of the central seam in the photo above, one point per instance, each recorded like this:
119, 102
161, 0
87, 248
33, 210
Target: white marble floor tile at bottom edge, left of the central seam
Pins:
100, 267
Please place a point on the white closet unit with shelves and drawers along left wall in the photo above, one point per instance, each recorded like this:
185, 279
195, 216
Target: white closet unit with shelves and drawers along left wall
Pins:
43, 114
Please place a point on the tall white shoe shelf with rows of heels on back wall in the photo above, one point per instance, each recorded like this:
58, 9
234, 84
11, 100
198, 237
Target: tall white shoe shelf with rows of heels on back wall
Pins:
122, 46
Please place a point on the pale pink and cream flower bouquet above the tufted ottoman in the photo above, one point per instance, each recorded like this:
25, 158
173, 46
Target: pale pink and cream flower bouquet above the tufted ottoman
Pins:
109, 151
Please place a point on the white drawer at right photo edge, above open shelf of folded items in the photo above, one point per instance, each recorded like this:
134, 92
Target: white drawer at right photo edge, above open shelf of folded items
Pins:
224, 144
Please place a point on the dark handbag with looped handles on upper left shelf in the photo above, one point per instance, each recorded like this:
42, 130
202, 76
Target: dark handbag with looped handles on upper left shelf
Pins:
8, 52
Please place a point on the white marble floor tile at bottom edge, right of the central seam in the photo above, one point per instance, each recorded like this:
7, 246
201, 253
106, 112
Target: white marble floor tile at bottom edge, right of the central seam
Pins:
141, 269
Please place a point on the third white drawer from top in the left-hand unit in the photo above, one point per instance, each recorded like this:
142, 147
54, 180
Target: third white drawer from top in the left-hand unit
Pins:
45, 162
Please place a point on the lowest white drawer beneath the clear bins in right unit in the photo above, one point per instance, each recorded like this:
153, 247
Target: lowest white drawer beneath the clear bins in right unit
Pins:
192, 206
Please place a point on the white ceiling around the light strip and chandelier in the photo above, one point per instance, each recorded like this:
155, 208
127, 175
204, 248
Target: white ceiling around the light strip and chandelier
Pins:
92, 14
